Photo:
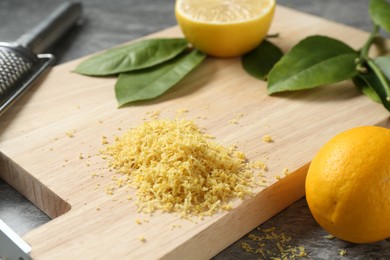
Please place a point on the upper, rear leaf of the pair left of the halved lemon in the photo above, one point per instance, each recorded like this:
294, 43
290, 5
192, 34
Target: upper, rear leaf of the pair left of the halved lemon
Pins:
138, 55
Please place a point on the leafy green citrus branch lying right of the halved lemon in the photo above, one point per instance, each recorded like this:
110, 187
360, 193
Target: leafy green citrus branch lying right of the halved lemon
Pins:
319, 60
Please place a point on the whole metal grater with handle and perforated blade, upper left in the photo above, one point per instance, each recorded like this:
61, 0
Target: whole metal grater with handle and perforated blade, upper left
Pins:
20, 65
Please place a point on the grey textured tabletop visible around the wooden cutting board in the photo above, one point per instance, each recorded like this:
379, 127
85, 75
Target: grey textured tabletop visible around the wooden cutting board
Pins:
108, 23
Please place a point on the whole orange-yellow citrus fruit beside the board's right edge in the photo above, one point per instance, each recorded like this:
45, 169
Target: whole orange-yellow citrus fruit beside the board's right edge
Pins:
348, 185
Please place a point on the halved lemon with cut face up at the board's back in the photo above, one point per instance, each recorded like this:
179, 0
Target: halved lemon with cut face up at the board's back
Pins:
224, 28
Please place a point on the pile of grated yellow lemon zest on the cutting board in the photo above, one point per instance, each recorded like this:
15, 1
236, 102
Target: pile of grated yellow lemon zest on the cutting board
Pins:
177, 168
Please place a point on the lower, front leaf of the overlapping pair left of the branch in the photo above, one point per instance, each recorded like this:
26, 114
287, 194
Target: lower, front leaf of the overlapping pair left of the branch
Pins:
152, 82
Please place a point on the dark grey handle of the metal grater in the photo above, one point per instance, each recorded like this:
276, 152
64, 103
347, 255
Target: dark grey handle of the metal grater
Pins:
52, 28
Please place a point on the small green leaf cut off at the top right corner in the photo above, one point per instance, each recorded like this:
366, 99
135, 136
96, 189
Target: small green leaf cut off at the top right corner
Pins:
380, 13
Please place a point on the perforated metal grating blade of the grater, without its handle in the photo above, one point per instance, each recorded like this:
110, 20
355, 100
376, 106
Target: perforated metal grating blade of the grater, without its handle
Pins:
19, 69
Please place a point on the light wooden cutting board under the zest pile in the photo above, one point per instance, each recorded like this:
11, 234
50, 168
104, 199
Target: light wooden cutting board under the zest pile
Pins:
50, 138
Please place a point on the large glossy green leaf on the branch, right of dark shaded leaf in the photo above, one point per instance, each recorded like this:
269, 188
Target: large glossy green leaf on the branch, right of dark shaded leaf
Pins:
315, 61
